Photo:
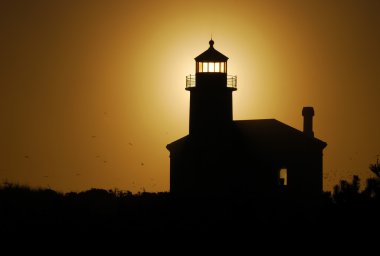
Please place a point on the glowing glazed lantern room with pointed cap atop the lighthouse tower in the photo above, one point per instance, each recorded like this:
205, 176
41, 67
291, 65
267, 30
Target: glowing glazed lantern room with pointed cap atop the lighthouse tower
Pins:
211, 61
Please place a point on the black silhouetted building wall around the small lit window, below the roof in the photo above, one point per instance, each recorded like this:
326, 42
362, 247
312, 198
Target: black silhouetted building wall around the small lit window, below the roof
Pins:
218, 171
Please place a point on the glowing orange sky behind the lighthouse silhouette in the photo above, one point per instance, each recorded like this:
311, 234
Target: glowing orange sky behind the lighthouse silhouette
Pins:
92, 91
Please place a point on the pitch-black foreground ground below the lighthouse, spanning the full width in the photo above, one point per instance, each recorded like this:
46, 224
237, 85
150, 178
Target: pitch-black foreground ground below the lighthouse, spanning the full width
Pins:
97, 218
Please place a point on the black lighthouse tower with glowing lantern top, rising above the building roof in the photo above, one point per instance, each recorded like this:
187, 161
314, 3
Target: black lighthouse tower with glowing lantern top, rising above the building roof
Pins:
210, 93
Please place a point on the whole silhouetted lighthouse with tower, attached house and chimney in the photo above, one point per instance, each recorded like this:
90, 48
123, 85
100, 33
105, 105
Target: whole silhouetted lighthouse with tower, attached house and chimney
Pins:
258, 157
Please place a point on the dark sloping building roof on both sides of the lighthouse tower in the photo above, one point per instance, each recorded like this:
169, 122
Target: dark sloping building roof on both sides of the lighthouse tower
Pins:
265, 134
